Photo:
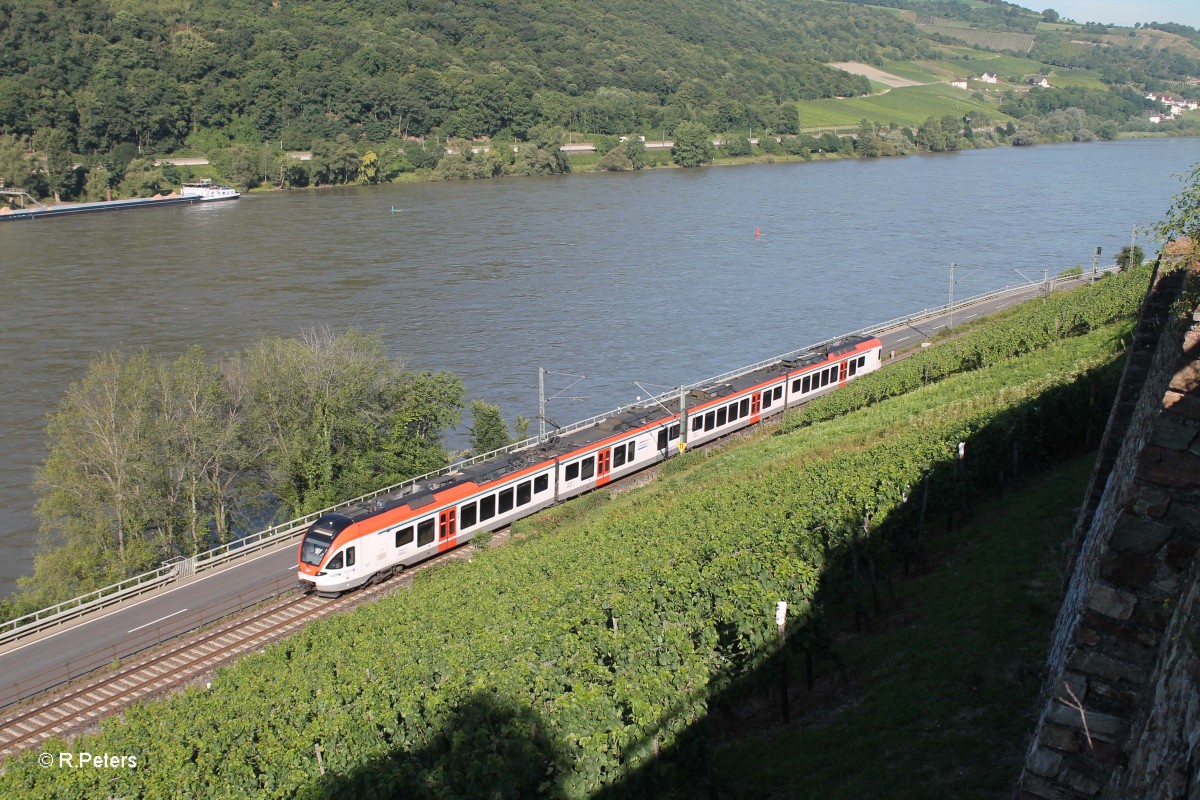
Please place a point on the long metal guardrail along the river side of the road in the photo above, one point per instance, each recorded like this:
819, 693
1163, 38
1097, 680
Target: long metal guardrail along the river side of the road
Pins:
76, 607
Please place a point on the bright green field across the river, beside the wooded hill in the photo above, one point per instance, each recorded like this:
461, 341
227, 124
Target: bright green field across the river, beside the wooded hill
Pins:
910, 106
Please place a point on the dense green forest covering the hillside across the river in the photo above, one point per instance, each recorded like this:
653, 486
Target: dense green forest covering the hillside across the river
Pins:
148, 75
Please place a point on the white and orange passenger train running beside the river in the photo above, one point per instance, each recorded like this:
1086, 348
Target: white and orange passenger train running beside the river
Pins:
377, 538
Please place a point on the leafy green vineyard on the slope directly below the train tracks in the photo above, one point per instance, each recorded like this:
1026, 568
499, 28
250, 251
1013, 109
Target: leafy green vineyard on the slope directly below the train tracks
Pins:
581, 658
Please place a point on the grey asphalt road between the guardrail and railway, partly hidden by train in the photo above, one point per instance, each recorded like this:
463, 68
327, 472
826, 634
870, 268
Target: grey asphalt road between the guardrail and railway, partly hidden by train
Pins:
50, 658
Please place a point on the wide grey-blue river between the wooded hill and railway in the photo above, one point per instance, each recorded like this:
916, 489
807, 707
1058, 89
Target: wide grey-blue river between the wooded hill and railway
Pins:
659, 278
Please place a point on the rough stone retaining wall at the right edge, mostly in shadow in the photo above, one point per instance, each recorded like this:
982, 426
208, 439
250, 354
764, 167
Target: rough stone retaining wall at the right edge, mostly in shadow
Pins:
1123, 701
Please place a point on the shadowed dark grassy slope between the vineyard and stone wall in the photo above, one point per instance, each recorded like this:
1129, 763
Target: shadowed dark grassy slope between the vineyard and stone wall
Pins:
941, 697
